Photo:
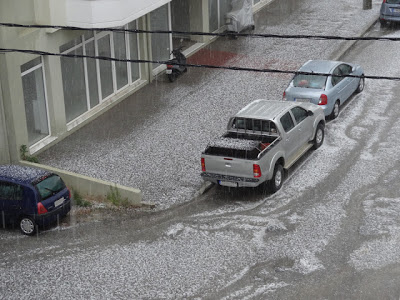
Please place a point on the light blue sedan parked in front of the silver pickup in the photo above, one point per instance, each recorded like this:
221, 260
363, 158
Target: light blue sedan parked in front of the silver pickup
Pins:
328, 91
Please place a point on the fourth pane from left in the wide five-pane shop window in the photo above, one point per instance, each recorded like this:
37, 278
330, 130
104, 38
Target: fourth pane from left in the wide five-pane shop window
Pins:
121, 68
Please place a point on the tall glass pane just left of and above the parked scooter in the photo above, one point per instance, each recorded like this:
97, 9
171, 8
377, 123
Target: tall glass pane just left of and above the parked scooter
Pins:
160, 43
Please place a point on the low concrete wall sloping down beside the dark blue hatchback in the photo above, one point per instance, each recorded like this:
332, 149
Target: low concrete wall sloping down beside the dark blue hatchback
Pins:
86, 185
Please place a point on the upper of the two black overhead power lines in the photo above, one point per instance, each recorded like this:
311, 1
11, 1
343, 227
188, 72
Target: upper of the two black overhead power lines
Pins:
251, 35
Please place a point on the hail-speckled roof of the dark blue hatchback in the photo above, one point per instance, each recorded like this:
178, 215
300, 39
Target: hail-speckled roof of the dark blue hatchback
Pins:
22, 174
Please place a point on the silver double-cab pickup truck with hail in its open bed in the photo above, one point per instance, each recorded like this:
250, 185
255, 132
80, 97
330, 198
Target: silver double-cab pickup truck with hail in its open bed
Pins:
262, 140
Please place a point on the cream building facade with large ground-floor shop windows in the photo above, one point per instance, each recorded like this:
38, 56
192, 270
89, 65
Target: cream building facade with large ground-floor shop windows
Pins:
45, 98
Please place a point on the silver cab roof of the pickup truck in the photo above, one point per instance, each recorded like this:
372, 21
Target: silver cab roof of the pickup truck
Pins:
265, 109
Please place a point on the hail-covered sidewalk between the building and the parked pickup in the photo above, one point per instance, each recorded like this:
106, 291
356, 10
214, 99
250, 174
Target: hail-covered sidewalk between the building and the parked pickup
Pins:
153, 139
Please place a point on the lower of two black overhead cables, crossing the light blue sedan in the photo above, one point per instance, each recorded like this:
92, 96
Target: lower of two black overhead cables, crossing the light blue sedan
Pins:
36, 52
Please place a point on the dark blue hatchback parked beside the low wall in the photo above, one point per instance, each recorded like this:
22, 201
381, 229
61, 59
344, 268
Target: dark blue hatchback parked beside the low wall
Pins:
31, 197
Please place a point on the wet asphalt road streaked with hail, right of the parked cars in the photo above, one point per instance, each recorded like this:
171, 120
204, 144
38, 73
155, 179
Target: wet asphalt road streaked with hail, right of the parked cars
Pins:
332, 232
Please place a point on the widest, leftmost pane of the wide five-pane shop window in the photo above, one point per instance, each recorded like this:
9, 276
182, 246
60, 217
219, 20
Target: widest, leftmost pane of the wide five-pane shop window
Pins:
74, 86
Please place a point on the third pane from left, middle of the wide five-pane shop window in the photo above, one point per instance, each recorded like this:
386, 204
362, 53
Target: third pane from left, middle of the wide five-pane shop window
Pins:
106, 76
